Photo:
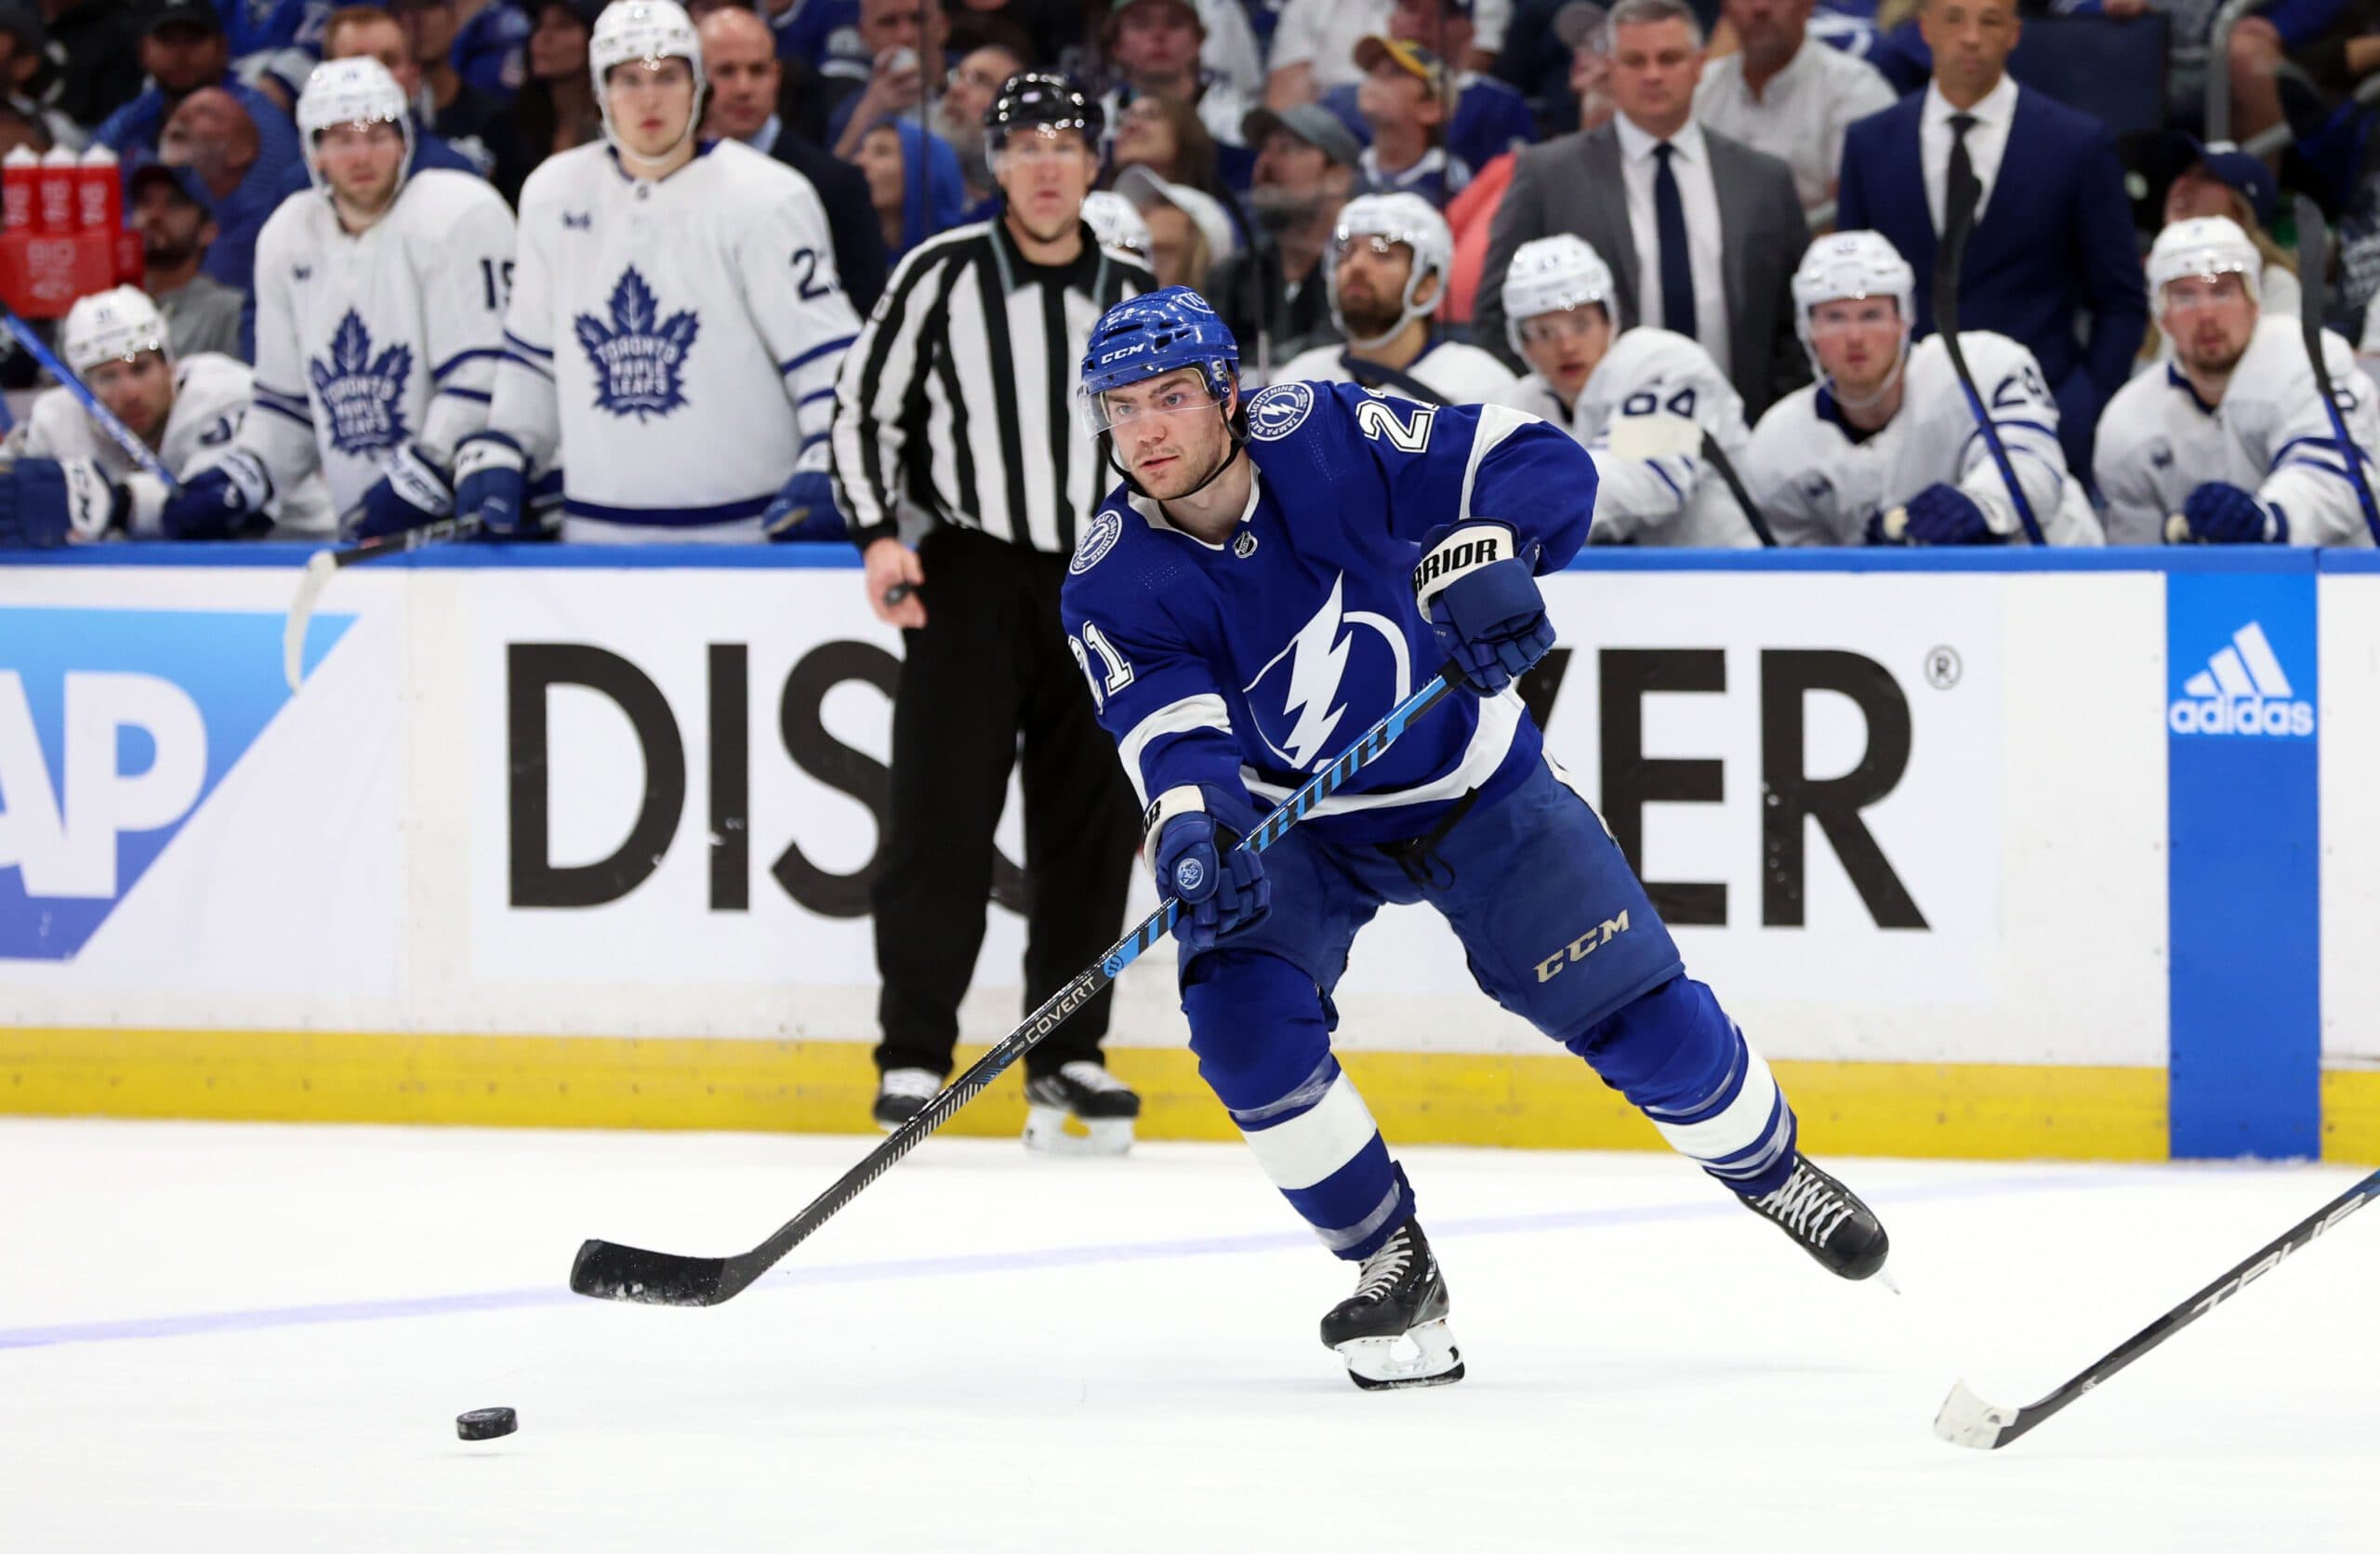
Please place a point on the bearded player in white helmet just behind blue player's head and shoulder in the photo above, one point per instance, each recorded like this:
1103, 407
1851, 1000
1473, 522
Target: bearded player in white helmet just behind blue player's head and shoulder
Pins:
1389, 270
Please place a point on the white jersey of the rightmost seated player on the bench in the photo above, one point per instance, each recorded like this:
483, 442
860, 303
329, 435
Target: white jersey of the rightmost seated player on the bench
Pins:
2269, 434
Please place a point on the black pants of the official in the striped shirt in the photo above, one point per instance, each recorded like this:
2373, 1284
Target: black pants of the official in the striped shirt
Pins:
989, 665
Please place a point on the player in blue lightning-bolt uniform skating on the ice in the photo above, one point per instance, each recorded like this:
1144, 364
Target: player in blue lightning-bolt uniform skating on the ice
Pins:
1270, 582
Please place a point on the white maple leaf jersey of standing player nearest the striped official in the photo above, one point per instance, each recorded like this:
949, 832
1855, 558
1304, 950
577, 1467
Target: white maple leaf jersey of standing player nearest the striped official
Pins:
672, 344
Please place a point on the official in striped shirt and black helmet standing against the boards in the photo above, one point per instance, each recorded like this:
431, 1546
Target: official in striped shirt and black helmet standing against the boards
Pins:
956, 413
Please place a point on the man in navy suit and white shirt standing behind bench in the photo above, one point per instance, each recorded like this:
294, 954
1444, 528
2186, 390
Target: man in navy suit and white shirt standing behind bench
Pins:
2053, 237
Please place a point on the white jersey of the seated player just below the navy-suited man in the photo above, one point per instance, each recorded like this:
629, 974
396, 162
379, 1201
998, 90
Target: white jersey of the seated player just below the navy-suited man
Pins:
1822, 484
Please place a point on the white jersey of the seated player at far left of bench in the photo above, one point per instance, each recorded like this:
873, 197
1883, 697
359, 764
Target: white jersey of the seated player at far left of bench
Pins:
211, 406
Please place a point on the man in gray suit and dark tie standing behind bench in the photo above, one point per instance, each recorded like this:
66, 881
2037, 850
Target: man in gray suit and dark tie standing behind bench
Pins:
1703, 232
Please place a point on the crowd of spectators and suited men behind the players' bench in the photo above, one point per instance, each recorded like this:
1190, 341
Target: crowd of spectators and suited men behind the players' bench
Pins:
1698, 146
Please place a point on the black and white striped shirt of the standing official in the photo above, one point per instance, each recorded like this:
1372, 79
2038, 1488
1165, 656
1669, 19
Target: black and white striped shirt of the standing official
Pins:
958, 399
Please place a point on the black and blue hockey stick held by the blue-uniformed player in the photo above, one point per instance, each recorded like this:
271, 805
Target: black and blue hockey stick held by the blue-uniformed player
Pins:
663, 1279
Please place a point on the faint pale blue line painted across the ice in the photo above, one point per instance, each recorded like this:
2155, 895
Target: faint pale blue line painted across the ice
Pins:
977, 1262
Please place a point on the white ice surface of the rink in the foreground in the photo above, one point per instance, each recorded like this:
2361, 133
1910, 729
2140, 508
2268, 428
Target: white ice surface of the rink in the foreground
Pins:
256, 1339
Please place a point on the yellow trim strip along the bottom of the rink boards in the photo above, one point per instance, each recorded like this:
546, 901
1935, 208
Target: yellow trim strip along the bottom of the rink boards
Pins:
765, 1086
